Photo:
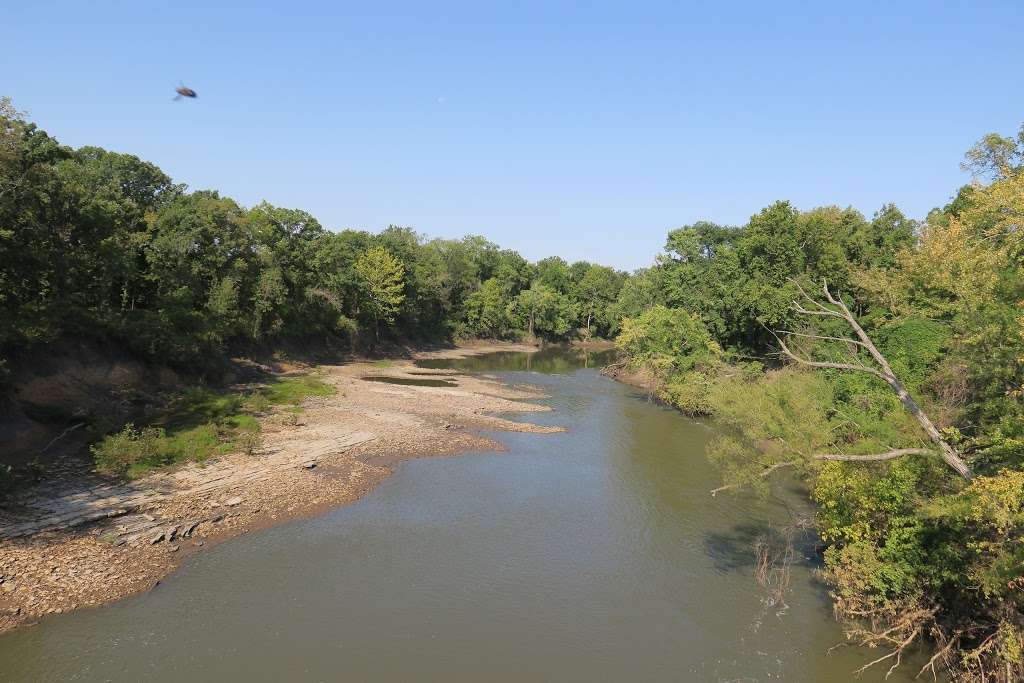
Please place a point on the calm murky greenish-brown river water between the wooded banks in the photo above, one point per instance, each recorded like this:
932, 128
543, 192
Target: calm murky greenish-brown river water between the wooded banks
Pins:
590, 556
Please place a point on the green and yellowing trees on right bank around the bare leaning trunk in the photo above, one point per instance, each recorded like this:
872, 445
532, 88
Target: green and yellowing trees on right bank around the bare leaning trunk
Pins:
882, 360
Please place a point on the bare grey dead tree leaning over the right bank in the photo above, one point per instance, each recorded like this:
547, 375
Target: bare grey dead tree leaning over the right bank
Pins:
833, 307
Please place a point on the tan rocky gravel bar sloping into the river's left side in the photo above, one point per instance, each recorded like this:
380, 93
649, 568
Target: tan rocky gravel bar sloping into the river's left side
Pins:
70, 545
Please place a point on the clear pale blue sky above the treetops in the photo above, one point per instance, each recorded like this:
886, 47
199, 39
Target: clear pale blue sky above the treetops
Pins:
581, 130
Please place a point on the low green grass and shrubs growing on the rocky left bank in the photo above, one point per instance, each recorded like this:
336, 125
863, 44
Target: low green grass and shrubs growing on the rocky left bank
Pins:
202, 423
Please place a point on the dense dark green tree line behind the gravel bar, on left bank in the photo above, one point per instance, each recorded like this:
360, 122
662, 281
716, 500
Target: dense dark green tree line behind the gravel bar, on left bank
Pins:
105, 246
